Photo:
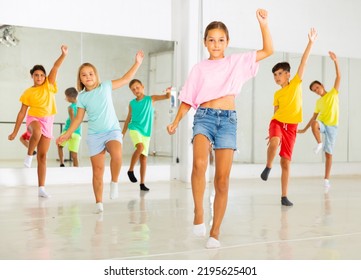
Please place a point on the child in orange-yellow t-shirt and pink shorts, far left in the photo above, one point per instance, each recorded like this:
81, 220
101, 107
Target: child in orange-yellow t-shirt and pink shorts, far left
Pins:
40, 101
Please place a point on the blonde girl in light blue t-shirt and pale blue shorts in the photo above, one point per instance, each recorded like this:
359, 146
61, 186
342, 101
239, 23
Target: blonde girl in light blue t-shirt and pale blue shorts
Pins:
104, 132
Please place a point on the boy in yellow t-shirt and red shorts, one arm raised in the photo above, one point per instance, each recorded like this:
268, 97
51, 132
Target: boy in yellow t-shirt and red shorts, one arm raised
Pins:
287, 114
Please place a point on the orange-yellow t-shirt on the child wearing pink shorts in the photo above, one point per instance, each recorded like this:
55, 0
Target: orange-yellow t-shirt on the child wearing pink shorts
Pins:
40, 99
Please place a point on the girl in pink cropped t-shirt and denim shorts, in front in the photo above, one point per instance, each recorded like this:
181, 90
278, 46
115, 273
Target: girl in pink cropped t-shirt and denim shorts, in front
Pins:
211, 89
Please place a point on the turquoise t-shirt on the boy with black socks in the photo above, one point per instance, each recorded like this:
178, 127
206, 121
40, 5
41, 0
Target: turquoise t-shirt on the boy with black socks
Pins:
142, 116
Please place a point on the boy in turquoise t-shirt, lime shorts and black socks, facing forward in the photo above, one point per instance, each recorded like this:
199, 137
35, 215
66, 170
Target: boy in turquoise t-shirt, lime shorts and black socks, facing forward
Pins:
140, 123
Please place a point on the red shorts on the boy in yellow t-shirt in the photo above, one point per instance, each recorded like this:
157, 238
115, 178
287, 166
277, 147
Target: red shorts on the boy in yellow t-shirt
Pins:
287, 133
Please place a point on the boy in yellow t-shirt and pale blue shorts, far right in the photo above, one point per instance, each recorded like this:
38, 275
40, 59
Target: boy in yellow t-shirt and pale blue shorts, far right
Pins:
325, 119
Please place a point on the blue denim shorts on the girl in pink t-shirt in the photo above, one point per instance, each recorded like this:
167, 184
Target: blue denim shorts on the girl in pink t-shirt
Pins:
219, 126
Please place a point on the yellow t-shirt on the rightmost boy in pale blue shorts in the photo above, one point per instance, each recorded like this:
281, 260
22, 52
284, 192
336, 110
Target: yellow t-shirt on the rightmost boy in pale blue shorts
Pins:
328, 108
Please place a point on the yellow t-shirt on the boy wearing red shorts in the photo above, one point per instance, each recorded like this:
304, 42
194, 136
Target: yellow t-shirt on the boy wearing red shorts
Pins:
289, 102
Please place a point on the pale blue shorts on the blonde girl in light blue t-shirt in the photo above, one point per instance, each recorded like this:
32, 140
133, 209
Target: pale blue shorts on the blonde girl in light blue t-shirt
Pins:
96, 142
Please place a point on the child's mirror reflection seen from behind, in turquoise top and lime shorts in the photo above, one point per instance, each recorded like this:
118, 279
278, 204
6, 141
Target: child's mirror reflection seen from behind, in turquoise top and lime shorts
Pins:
73, 142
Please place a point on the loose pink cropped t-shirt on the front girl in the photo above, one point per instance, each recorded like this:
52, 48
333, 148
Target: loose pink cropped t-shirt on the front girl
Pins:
212, 79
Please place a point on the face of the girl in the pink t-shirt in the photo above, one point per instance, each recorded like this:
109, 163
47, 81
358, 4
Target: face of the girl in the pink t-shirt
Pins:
216, 42
